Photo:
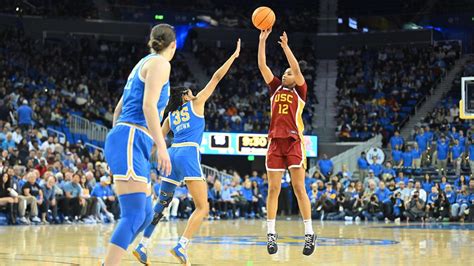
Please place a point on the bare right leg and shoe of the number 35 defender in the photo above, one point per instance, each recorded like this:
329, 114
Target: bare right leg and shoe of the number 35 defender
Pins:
198, 190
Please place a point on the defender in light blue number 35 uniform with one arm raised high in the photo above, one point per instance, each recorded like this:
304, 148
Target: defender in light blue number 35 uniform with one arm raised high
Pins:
186, 121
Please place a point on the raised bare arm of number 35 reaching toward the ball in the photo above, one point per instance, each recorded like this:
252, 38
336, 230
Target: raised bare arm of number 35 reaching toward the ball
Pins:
205, 93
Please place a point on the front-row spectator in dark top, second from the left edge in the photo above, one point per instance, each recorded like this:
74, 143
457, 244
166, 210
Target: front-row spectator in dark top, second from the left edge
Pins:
34, 197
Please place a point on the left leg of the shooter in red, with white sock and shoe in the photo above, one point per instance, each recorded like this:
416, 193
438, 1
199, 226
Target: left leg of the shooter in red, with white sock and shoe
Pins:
274, 187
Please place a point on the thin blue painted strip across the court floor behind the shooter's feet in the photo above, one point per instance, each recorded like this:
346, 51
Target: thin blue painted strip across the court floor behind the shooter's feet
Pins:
290, 240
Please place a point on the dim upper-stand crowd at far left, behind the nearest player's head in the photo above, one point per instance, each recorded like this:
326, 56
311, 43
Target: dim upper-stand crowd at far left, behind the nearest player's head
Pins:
75, 76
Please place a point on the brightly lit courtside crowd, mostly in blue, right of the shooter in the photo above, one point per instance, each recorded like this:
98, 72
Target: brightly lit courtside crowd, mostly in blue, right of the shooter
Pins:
388, 192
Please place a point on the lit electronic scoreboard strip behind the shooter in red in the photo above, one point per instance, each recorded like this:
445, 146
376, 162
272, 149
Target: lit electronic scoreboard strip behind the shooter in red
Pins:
214, 143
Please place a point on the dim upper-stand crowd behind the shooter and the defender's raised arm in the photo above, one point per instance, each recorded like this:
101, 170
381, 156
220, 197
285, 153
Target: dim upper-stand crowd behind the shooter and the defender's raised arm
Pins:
237, 105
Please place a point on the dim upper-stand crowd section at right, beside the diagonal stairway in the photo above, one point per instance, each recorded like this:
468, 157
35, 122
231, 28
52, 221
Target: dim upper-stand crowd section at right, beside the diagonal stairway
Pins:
378, 89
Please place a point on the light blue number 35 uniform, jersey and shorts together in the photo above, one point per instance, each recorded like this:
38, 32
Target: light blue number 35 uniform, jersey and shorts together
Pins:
188, 128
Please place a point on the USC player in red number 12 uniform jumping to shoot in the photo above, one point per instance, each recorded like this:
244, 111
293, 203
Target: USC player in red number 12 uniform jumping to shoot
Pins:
286, 149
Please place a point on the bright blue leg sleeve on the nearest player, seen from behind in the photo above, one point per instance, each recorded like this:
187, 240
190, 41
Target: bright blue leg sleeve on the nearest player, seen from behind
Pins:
132, 208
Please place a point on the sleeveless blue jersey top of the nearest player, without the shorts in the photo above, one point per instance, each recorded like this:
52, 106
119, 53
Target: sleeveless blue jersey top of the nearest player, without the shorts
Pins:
132, 109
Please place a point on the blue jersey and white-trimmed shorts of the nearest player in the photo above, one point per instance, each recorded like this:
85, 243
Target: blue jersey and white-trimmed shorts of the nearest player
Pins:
128, 145
